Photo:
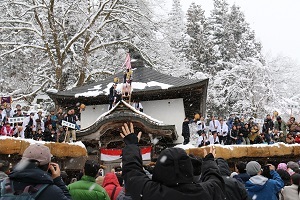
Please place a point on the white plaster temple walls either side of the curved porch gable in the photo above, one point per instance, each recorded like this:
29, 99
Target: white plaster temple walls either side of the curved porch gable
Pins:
170, 112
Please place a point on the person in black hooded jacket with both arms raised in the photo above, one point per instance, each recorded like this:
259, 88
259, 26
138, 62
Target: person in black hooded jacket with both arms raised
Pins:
172, 175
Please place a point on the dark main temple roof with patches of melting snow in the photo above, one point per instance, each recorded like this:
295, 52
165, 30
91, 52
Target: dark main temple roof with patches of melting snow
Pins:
140, 74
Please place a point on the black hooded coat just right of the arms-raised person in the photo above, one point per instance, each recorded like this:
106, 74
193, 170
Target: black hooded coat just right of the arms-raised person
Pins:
234, 189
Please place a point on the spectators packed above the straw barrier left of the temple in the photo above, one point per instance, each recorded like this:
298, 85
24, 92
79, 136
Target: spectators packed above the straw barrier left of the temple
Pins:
37, 126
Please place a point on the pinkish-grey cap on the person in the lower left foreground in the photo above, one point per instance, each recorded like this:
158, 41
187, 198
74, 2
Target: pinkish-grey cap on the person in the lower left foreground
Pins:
38, 152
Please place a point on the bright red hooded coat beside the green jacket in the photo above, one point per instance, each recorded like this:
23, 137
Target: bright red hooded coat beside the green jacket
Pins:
111, 183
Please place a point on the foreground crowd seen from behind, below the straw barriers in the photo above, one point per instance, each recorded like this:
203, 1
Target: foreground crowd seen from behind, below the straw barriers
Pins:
176, 175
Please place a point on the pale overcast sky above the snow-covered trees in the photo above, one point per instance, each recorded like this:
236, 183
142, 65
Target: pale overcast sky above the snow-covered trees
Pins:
276, 23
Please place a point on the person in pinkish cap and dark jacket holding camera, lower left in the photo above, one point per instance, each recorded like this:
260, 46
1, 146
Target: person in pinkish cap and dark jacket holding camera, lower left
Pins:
32, 170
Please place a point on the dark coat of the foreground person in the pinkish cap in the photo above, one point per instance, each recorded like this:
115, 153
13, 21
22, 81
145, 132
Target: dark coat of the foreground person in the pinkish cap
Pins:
24, 175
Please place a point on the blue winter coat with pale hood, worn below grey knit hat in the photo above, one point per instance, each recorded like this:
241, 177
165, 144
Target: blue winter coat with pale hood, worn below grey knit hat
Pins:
263, 188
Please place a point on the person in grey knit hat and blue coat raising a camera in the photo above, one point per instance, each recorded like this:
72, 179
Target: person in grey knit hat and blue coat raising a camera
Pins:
260, 187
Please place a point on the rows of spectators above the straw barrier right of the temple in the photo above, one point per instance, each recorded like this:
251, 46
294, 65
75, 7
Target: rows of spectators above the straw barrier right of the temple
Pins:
238, 130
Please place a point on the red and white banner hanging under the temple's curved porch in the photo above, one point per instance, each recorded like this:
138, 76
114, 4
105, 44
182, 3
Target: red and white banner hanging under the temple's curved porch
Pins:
115, 154
